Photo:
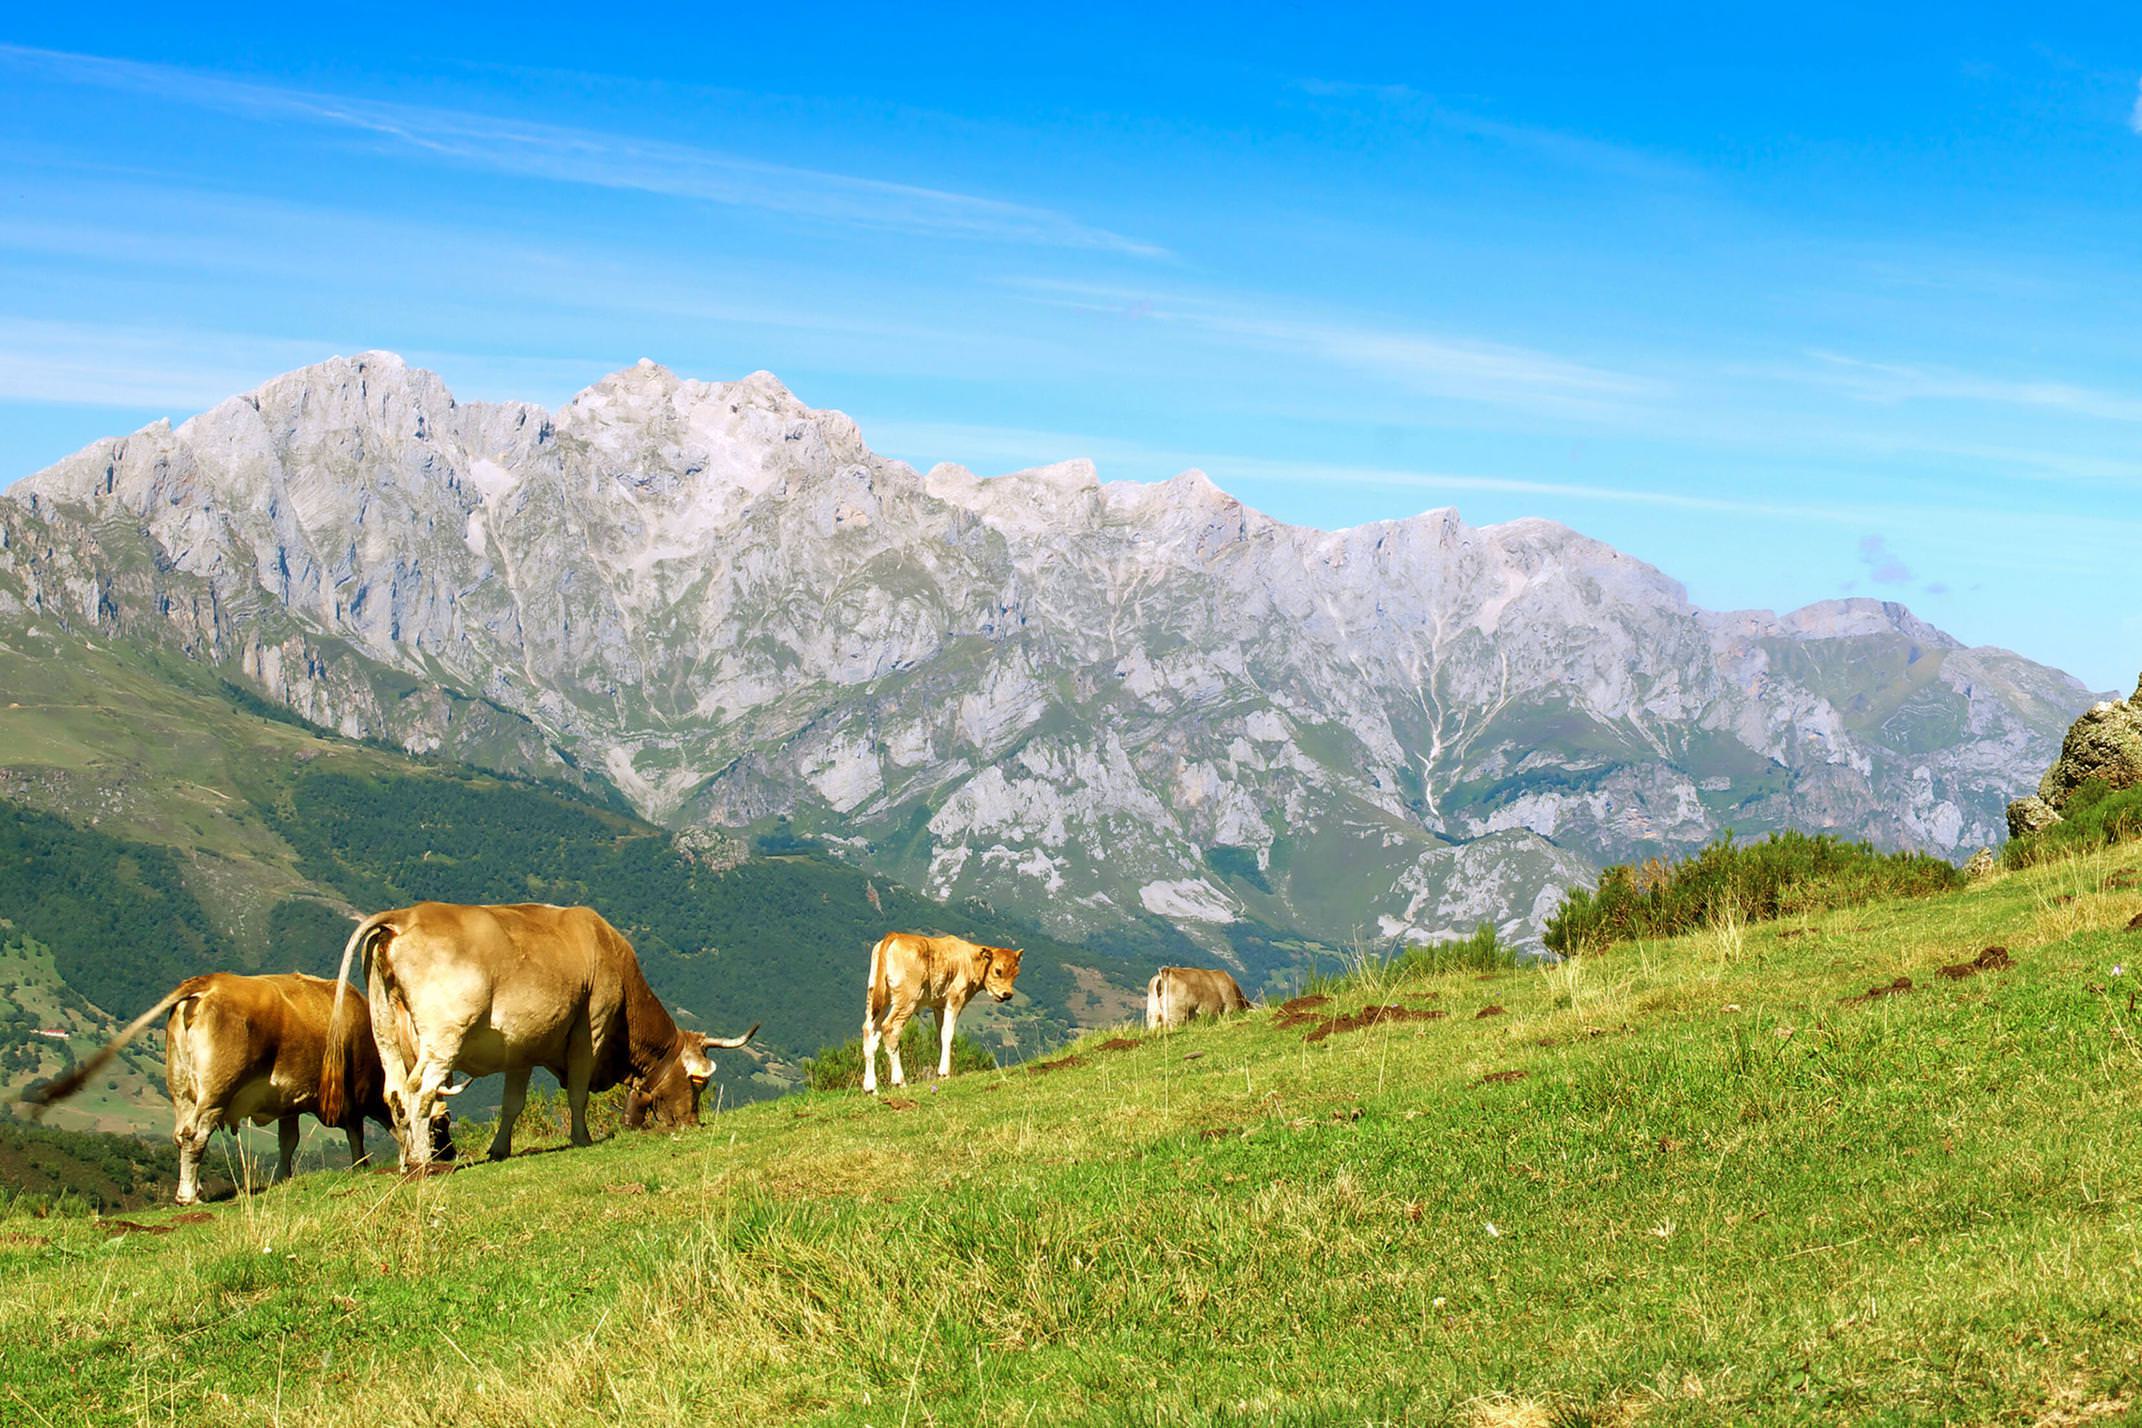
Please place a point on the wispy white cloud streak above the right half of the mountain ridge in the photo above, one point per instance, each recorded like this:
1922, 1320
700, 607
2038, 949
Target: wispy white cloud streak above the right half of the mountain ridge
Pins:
1432, 365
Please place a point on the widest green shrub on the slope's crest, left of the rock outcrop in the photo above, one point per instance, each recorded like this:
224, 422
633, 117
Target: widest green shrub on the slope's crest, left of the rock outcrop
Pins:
1749, 883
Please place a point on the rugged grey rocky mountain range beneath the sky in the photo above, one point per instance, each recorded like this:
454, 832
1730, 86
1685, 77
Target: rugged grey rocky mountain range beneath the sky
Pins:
1102, 703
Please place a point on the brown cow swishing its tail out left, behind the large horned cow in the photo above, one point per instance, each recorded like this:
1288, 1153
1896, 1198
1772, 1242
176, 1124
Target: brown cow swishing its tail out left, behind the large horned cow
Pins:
247, 1048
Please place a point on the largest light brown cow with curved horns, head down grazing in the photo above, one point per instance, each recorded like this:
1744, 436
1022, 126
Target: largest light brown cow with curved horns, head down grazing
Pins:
507, 990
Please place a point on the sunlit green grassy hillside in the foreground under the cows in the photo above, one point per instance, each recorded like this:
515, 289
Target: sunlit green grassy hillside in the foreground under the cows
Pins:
1691, 1181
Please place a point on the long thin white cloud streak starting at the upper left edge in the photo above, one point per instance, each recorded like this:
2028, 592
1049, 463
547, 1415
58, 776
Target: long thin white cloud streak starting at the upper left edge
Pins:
601, 159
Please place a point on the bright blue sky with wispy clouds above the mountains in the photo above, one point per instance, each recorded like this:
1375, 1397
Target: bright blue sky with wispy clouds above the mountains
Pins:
1792, 303
